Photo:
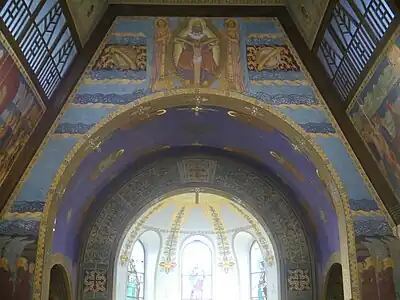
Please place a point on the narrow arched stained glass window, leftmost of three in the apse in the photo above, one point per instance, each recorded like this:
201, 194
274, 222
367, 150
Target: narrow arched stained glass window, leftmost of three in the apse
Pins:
136, 273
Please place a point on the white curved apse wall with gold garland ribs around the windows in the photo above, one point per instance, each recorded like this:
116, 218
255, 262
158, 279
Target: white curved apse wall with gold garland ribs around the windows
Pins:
168, 231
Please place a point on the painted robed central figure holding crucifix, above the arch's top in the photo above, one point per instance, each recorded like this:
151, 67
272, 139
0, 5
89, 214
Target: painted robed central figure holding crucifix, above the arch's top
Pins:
196, 63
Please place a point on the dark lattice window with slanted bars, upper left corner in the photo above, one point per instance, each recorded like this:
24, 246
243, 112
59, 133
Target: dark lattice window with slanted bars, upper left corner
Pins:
42, 33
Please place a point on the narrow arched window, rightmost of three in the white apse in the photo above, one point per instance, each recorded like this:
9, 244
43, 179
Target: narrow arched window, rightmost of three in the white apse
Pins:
258, 274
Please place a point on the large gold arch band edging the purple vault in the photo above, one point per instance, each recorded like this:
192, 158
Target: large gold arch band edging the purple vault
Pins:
256, 110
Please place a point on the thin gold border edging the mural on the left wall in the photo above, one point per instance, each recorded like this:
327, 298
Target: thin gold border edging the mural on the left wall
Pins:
35, 92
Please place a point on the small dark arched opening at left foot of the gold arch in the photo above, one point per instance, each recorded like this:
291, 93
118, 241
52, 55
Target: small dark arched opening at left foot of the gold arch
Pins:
60, 288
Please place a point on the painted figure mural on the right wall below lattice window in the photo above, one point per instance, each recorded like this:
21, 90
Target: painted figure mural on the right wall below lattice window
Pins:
375, 112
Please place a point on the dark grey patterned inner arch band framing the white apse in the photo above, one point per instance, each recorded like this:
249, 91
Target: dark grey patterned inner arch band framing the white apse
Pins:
251, 191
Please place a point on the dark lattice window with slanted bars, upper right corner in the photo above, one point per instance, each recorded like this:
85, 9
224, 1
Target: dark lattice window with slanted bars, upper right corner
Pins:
356, 28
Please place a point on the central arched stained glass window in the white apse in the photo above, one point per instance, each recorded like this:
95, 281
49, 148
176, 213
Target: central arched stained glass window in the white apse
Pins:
196, 272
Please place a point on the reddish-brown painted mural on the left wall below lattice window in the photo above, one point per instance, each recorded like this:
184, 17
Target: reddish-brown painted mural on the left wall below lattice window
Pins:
21, 108
